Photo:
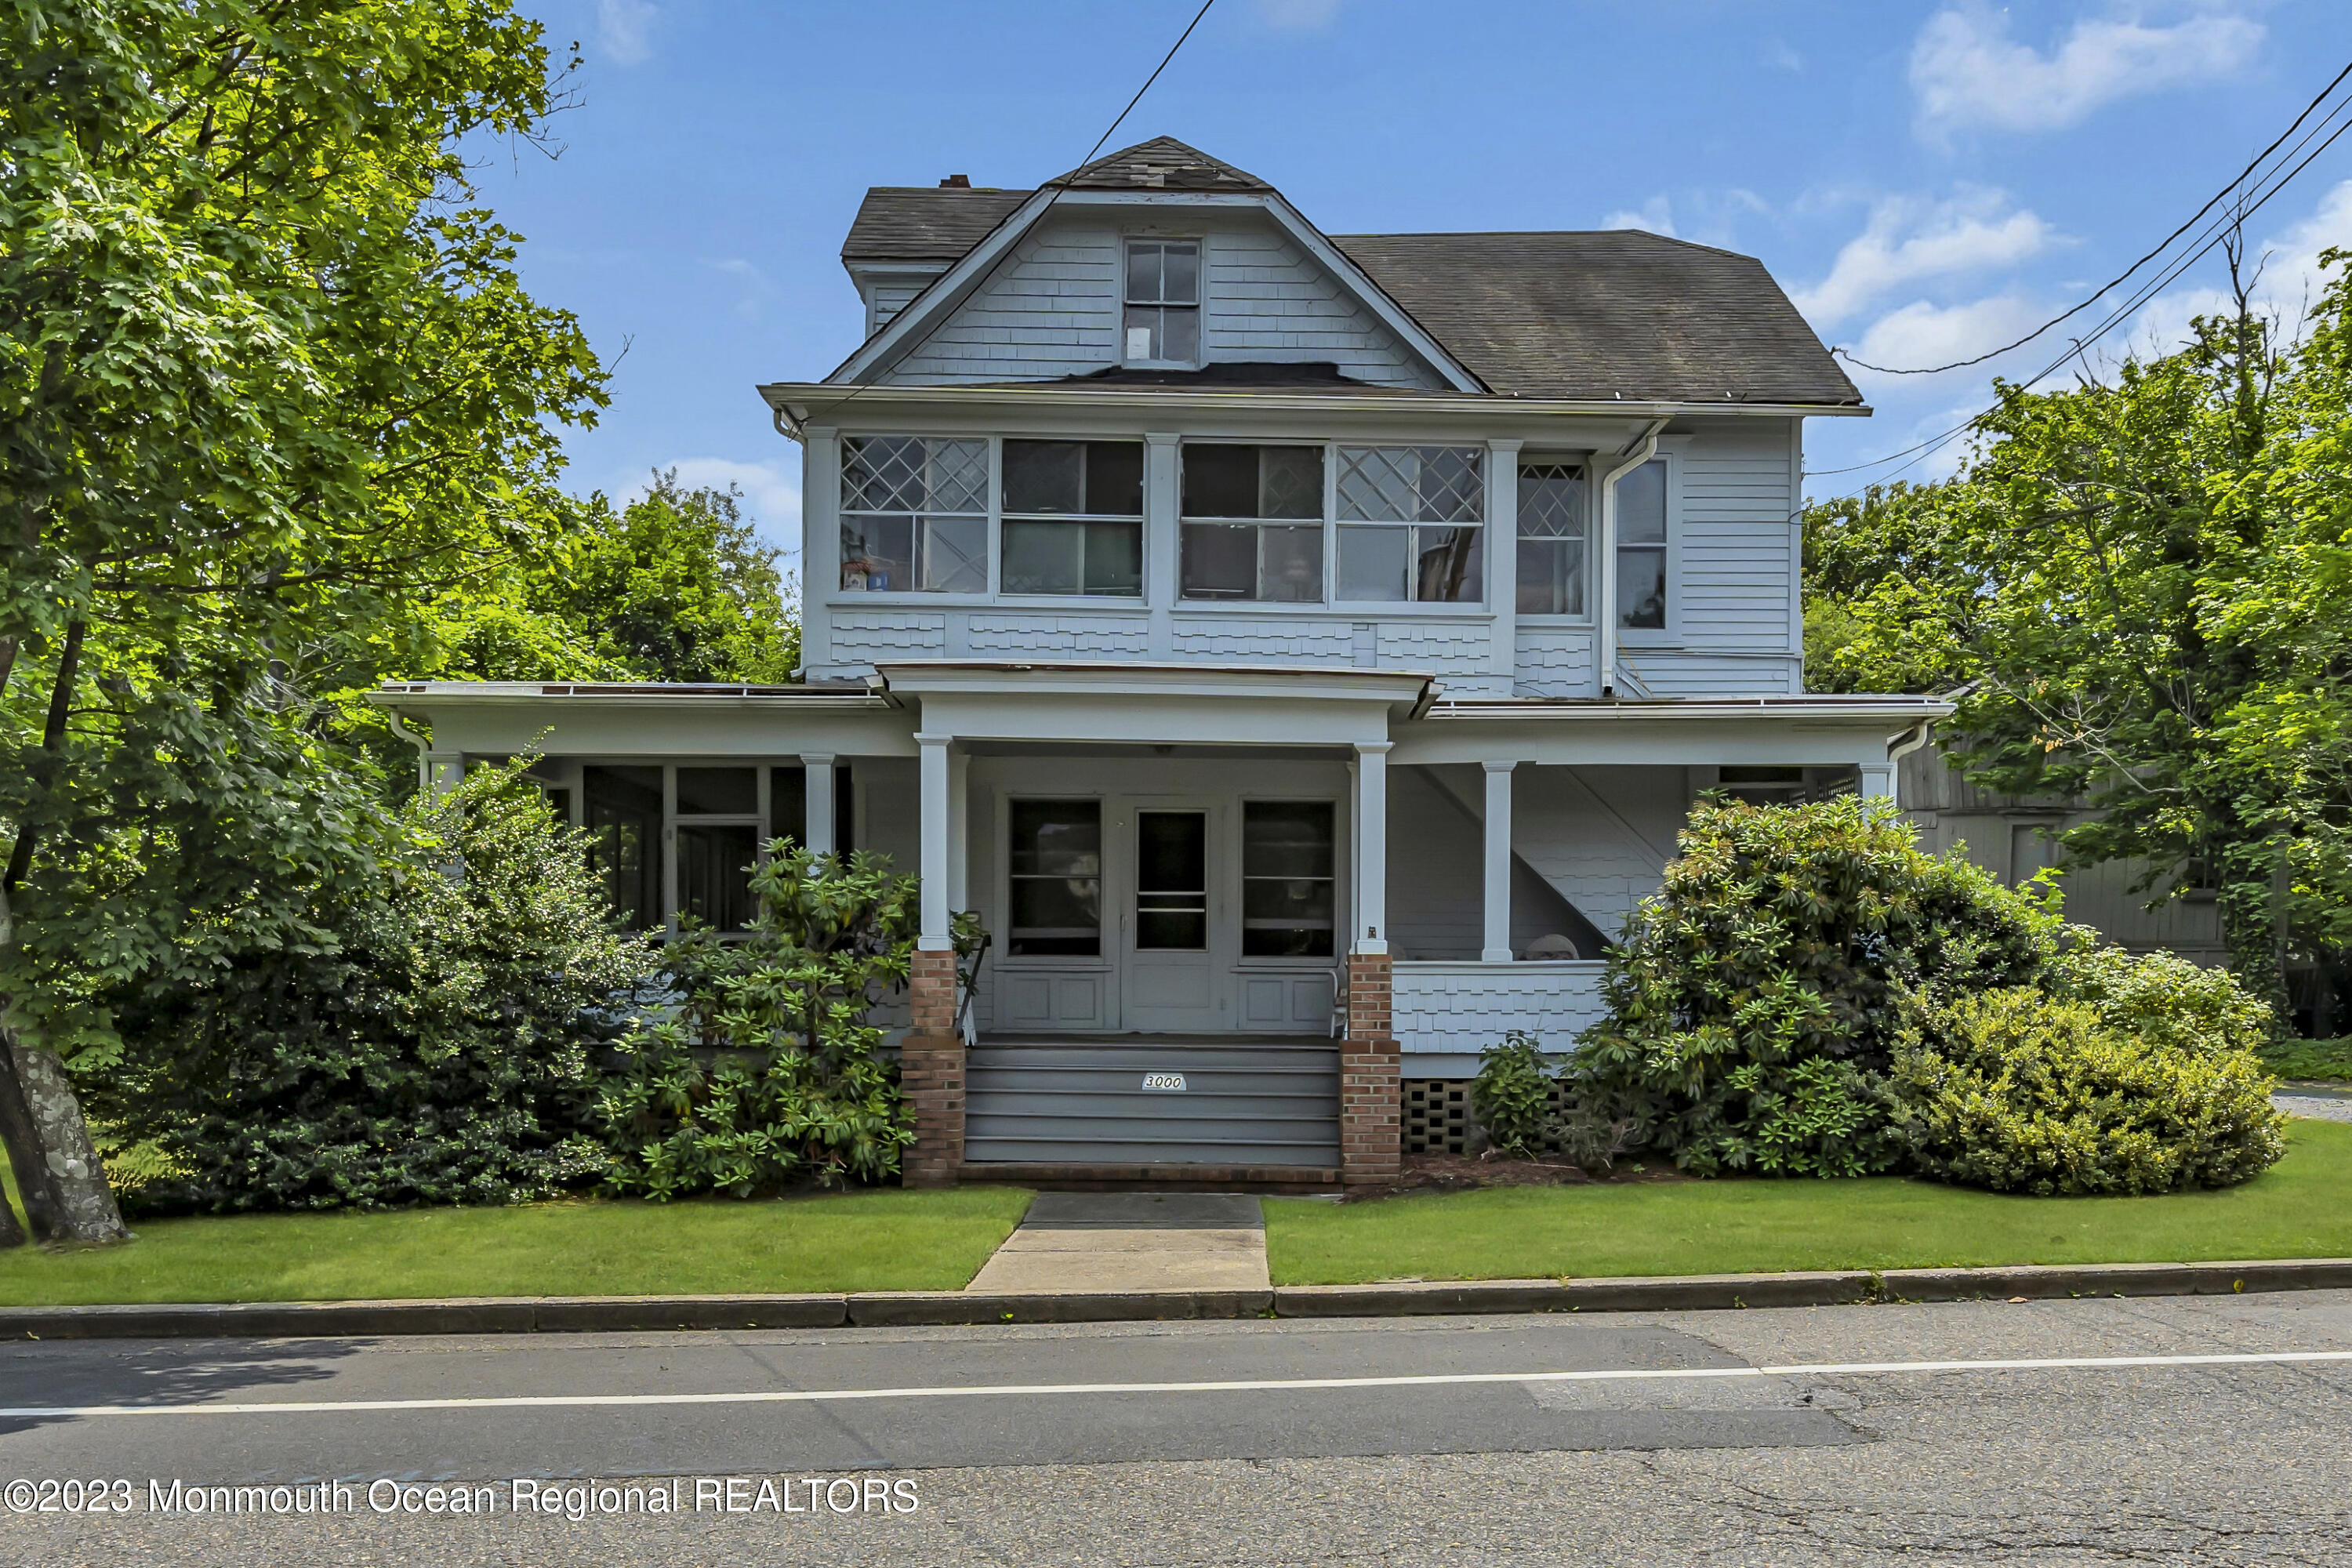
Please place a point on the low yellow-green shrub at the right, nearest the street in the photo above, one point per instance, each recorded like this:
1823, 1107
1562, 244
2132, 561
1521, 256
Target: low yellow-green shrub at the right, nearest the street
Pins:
2019, 1092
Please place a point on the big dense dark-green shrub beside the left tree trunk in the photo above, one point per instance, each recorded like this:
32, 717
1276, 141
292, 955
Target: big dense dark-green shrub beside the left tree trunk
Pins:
434, 1045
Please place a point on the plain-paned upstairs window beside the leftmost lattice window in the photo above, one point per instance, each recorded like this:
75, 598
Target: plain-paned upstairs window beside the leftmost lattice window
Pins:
1074, 518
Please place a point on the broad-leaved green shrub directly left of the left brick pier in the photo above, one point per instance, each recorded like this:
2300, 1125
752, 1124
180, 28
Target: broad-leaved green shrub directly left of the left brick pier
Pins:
773, 1073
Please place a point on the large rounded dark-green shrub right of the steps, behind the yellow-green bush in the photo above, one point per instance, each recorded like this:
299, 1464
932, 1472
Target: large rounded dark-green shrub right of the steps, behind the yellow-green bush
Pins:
1756, 1003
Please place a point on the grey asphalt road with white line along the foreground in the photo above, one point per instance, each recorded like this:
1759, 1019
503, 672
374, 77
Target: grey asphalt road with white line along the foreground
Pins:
1530, 1440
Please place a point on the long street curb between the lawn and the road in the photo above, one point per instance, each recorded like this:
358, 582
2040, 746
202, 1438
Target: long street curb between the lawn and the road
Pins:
973, 1308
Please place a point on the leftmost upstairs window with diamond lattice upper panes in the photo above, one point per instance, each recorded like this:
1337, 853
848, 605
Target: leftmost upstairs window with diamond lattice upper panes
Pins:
914, 516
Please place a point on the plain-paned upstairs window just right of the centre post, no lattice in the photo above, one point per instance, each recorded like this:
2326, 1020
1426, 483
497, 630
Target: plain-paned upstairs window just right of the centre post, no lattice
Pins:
1252, 523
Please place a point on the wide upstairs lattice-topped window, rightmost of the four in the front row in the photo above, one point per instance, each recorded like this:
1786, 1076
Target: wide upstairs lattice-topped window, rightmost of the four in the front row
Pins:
1410, 523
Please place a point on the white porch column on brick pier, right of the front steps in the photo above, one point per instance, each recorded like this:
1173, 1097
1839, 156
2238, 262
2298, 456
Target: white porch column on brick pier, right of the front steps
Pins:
1370, 1092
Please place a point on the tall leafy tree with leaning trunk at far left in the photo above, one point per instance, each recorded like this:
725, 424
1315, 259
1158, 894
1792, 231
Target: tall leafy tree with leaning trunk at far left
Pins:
265, 373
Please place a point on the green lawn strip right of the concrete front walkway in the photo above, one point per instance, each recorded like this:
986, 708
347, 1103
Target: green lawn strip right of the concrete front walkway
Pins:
2299, 1209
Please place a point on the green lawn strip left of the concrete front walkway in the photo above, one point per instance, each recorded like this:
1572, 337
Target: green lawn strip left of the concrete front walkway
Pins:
883, 1240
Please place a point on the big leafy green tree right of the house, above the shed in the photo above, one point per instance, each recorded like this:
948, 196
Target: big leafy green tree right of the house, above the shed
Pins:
2139, 589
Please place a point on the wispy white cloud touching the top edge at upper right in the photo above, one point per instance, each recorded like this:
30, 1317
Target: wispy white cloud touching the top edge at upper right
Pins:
1967, 72
